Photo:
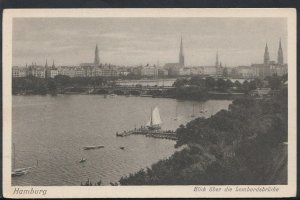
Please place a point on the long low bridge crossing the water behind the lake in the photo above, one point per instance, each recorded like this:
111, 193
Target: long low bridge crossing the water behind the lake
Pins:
120, 90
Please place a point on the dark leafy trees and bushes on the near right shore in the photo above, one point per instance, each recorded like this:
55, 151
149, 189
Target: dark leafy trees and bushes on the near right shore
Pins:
244, 145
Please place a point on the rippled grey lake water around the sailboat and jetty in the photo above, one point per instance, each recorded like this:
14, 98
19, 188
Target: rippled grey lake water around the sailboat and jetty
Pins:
53, 131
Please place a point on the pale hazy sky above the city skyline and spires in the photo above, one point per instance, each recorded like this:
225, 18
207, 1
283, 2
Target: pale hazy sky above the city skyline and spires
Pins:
135, 41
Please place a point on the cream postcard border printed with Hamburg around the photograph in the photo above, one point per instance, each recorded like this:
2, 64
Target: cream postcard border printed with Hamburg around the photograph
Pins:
147, 191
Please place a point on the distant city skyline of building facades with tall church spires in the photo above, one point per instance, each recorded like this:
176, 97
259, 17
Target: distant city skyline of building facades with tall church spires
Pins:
97, 69
